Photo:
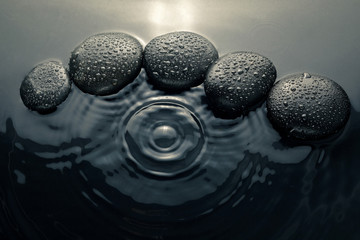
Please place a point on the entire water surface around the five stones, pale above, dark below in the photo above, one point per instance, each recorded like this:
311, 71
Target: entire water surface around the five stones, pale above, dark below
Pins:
146, 164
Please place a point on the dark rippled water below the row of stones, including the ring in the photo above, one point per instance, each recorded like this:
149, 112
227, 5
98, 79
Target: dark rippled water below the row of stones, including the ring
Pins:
109, 169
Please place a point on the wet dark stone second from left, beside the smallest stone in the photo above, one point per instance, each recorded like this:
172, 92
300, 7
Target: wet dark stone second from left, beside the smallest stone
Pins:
105, 63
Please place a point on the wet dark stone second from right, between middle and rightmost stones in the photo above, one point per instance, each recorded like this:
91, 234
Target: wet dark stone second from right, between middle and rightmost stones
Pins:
238, 82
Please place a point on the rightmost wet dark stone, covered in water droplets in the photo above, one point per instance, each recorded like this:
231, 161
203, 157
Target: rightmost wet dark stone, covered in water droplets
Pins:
308, 106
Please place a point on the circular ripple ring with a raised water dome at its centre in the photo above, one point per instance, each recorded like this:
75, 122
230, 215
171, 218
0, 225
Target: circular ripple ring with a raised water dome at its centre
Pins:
164, 138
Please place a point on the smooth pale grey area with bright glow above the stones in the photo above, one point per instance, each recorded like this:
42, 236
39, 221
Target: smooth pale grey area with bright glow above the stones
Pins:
320, 36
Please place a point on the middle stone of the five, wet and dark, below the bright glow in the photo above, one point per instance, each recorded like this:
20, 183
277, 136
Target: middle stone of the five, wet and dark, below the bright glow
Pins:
179, 60
